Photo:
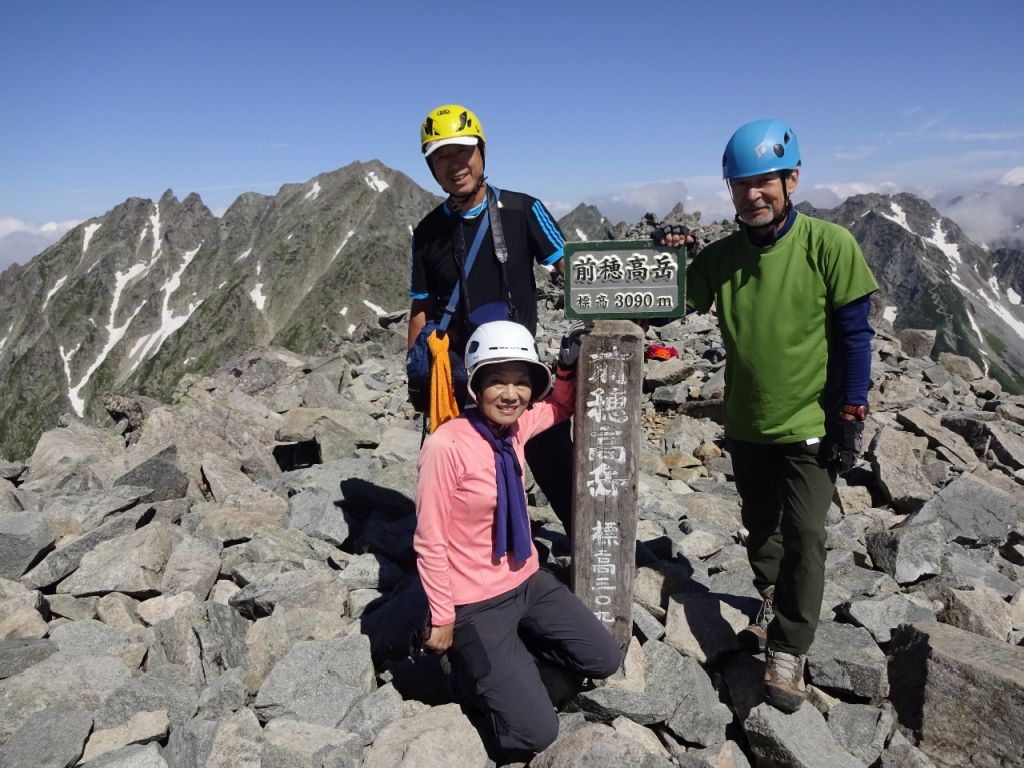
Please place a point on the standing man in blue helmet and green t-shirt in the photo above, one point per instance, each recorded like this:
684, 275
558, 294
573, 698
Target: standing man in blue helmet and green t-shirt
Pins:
793, 295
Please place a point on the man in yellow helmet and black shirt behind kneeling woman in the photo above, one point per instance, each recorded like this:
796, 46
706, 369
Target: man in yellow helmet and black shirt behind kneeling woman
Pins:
499, 284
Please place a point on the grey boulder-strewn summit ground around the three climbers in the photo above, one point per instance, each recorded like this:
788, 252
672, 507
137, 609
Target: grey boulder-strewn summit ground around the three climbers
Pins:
228, 579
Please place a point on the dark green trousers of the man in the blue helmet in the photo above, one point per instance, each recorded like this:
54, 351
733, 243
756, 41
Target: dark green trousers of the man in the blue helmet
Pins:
786, 493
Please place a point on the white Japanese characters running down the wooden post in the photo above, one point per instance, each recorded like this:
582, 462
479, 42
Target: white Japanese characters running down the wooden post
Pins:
607, 467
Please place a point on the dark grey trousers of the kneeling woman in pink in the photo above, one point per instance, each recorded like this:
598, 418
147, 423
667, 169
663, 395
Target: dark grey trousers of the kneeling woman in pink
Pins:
499, 642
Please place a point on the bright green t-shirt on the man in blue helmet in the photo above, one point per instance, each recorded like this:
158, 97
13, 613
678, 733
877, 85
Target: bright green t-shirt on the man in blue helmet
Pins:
776, 307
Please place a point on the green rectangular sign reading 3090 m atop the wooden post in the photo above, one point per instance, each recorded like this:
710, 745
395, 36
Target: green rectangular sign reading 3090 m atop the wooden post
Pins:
631, 279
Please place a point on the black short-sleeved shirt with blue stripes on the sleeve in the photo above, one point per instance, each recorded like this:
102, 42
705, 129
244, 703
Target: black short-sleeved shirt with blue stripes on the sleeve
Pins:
531, 236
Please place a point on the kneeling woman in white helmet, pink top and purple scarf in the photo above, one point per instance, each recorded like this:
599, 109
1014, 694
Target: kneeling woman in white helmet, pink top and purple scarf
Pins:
493, 610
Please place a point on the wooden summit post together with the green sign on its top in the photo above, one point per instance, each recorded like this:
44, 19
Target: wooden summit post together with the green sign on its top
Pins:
613, 283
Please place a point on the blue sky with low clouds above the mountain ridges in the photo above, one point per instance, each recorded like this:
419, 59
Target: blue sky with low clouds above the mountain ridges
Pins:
624, 105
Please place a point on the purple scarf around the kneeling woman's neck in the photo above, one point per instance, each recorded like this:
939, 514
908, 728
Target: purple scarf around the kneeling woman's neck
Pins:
511, 520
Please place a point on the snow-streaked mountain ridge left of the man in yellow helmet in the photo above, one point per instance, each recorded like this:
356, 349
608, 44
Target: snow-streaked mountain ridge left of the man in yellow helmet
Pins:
151, 291
